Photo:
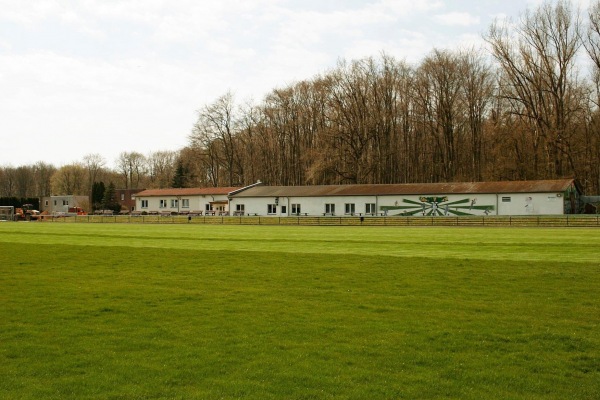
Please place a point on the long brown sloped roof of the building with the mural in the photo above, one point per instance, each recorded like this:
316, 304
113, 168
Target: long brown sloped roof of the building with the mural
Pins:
545, 186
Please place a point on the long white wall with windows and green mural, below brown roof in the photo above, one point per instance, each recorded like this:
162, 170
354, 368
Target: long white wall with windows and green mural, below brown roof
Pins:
413, 205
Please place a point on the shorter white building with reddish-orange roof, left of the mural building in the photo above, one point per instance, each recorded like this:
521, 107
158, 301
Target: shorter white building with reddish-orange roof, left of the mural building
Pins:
201, 201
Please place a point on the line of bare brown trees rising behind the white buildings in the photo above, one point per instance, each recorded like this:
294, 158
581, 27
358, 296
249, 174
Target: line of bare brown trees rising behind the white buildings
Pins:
524, 110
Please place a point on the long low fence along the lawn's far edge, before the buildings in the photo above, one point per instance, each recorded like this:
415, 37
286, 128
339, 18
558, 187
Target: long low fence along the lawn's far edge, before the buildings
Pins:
546, 221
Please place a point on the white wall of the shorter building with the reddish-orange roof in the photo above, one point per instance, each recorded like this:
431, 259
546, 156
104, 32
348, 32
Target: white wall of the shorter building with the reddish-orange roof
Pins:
177, 203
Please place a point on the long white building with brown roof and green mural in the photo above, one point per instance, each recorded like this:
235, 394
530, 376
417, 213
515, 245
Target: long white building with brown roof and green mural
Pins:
548, 197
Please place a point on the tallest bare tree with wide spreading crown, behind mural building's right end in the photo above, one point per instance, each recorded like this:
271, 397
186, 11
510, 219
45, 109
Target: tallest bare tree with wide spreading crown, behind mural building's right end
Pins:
537, 57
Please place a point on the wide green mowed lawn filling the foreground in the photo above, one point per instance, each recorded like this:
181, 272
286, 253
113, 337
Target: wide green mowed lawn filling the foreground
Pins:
111, 311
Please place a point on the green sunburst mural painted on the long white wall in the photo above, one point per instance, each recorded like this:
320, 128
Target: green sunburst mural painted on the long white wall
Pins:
437, 206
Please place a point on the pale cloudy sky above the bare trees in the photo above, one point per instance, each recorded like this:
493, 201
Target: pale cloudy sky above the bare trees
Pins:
80, 77
